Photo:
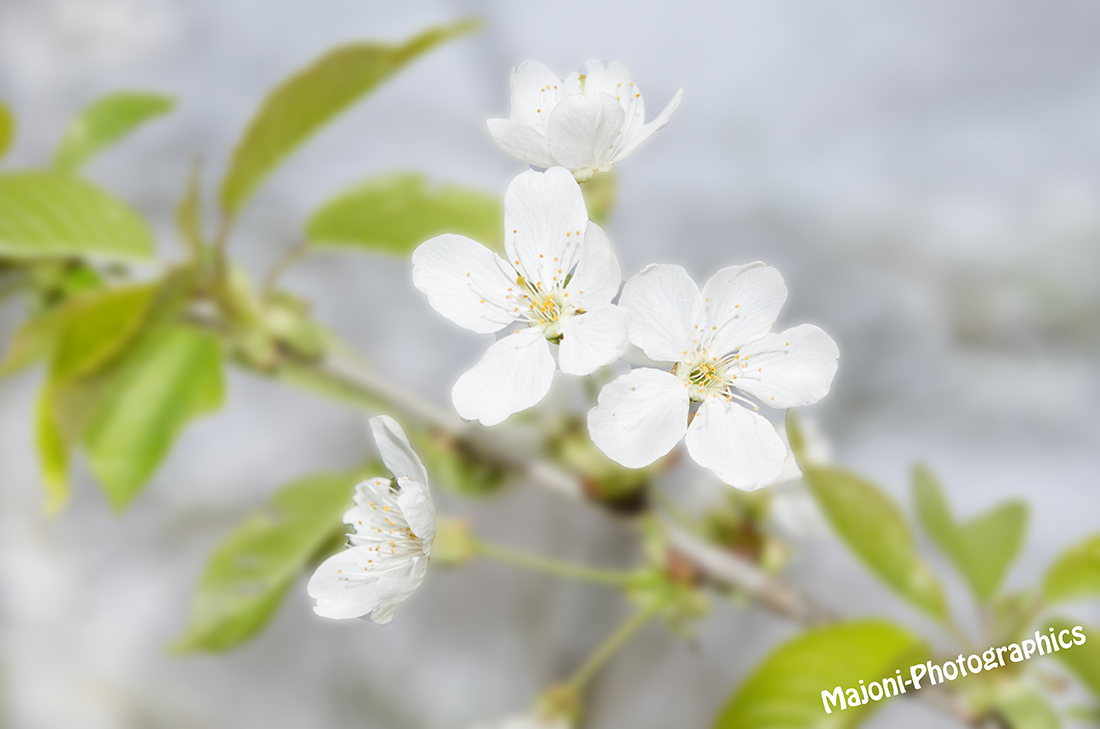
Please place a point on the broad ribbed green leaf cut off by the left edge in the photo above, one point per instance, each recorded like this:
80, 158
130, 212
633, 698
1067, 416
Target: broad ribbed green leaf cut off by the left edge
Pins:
57, 216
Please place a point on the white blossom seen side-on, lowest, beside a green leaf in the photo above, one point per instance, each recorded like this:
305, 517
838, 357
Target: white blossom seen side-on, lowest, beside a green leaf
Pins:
394, 524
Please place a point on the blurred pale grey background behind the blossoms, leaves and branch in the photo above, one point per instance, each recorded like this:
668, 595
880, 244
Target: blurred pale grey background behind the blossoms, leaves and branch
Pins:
926, 175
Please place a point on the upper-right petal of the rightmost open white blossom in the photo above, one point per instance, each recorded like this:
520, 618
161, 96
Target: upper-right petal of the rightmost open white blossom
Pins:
740, 304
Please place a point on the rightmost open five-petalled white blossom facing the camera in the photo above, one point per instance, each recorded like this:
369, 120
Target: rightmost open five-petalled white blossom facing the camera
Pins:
723, 357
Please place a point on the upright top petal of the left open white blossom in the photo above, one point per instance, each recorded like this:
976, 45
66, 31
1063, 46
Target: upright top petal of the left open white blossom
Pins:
544, 220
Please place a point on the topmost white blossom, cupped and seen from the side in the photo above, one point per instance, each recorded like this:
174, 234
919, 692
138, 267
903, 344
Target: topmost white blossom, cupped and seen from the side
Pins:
586, 123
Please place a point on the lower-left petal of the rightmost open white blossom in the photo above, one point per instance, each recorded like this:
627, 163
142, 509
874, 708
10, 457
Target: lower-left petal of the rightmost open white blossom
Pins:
640, 417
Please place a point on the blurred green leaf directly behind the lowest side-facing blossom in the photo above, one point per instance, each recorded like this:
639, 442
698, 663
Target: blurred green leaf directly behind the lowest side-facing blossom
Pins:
251, 571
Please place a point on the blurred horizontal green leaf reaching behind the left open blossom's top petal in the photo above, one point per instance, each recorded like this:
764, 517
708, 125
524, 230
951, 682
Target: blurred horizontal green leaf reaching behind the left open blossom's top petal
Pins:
398, 213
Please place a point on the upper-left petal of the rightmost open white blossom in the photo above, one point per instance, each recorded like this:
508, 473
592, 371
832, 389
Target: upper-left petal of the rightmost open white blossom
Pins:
665, 306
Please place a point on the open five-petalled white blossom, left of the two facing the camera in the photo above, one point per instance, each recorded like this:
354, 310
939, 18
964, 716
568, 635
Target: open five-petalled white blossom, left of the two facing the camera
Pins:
556, 288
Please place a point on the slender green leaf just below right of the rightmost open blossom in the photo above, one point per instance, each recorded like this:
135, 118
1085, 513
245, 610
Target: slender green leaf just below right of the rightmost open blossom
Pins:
873, 526
